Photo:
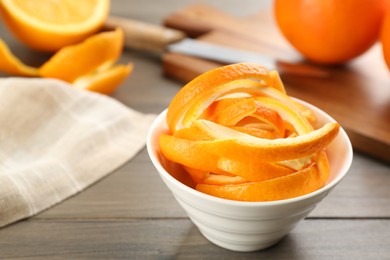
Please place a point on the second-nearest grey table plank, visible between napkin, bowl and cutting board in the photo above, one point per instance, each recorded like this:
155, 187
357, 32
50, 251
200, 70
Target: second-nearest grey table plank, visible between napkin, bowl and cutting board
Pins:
136, 191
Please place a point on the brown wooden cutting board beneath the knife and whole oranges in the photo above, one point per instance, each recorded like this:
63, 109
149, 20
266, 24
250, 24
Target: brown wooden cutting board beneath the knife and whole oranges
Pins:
357, 95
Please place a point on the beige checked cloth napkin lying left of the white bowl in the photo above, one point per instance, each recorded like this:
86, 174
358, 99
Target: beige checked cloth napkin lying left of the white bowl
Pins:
56, 140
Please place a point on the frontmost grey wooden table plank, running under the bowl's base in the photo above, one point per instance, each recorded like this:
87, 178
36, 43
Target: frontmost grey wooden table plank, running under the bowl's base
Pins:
179, 238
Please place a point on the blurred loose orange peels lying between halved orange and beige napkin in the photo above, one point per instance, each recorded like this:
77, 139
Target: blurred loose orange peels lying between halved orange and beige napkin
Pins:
88, 65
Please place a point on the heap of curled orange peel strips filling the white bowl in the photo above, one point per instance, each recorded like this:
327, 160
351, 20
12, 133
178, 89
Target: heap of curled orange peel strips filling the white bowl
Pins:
239, 136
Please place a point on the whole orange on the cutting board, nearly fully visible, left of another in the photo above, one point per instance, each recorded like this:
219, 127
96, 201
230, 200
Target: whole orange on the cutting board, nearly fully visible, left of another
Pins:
330, 31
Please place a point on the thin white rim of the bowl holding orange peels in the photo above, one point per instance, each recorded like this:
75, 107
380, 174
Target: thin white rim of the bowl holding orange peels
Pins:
159, 120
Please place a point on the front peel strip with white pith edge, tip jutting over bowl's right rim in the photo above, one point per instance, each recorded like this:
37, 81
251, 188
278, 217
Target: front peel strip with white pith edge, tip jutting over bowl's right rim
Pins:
242, 147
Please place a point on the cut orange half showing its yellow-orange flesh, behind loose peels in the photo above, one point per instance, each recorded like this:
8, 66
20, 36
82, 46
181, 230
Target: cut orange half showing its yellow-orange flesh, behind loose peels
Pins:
48, 25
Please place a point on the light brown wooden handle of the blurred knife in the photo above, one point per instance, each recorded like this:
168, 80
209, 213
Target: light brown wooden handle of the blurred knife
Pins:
144, 36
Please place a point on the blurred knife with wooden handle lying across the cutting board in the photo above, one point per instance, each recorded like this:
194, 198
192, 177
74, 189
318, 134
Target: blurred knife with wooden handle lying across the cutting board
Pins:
149, 37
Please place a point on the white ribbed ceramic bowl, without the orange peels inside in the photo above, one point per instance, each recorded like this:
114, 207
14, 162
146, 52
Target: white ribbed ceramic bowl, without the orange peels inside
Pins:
249, 226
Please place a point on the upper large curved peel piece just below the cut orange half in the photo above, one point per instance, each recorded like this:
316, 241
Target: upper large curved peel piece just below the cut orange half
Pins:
74, 61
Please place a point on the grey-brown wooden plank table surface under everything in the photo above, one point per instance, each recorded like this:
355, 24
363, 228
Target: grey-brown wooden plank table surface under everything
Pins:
131, 214
